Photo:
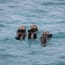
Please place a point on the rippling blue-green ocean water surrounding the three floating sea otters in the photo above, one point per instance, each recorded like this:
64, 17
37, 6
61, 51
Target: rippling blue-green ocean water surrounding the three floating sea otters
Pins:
48, 15
